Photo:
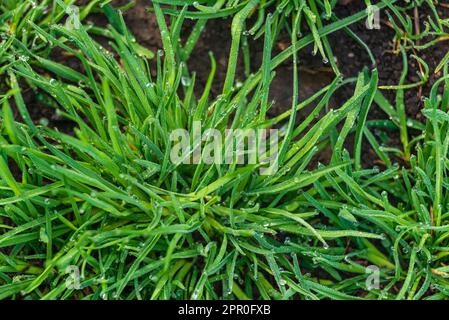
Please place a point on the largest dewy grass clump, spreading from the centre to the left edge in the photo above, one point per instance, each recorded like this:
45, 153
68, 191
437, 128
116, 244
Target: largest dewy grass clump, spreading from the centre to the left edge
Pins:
109, 201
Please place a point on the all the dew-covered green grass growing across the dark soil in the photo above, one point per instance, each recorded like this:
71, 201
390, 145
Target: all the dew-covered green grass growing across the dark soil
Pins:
106, 199
